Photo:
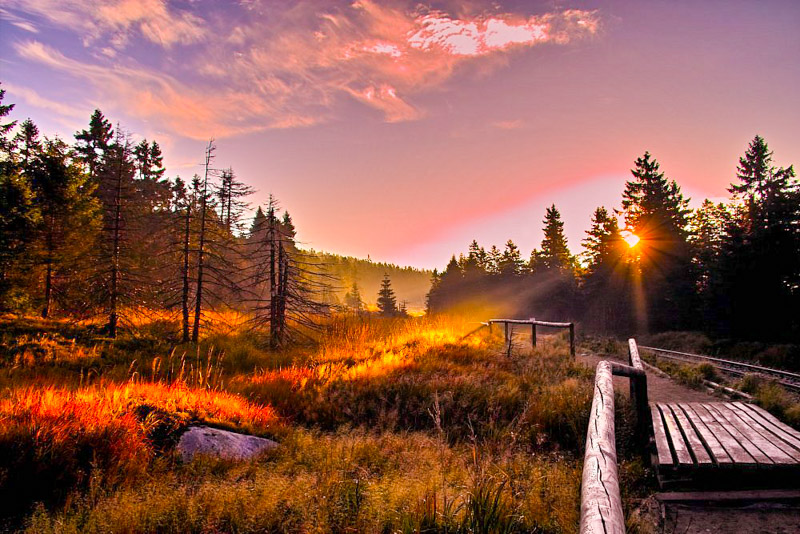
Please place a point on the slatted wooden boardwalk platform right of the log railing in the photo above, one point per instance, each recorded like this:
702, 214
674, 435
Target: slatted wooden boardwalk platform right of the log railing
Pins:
697, 441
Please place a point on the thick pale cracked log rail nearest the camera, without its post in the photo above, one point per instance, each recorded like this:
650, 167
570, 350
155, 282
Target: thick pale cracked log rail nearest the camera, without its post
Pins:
601, 504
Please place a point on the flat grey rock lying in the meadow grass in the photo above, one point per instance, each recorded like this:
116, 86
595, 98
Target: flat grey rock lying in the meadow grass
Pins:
221, 443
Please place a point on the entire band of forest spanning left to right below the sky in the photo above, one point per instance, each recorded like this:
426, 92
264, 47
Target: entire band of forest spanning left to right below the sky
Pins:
95, 228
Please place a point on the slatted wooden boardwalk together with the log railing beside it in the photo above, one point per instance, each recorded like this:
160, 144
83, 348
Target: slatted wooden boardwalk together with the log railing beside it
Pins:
737, 448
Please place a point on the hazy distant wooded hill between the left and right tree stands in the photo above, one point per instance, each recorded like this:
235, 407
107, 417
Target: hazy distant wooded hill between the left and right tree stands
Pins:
409, 284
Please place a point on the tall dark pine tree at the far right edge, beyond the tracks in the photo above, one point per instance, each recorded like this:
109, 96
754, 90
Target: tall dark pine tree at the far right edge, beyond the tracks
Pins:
760, 254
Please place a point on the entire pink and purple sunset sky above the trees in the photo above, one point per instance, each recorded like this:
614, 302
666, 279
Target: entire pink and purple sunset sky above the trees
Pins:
403, 130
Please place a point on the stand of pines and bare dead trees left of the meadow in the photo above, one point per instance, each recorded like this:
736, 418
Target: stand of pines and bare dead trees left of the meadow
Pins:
96, 229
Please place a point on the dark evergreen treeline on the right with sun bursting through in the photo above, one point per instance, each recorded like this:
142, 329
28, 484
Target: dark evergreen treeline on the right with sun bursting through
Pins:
729, 269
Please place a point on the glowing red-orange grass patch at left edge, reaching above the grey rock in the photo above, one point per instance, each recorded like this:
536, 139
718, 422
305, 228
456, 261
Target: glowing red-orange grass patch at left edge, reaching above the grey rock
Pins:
54, 440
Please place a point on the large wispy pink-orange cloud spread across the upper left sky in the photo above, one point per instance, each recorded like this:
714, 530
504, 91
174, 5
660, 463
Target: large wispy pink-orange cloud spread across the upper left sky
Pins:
285, 65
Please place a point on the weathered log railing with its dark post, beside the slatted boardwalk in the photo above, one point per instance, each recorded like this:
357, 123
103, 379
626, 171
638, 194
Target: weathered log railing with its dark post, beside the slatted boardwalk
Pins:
601, 504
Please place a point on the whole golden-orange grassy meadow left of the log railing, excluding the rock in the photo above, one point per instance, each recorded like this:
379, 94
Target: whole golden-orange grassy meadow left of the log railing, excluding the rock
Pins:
385, 425
